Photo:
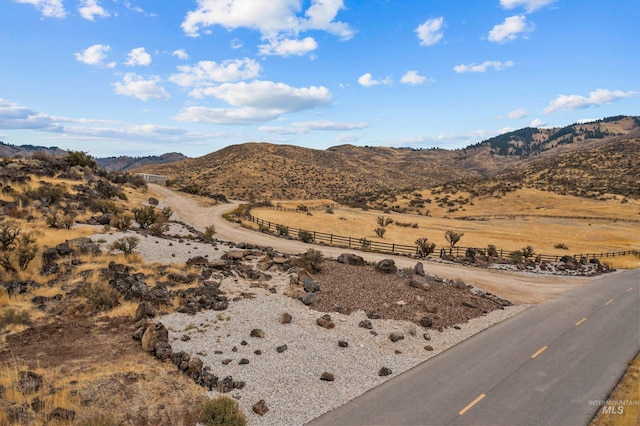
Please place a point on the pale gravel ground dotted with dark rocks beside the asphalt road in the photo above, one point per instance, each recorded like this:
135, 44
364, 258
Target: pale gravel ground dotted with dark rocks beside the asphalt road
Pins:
289, 382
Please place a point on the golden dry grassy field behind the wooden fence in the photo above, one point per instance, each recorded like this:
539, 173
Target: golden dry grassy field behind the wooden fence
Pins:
542, 233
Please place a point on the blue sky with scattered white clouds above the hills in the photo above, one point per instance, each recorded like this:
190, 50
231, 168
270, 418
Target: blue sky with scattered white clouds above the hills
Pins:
141, 77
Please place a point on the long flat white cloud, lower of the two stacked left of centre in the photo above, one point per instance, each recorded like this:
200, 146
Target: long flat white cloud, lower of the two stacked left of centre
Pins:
267, 95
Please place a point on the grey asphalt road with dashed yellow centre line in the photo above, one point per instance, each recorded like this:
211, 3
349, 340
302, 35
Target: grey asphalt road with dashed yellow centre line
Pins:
545, 366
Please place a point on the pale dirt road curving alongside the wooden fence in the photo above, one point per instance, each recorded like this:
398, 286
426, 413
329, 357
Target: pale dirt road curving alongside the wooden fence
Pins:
514, 286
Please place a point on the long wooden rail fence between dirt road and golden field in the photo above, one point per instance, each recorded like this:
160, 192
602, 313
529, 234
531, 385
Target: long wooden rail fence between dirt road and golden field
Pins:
401, 249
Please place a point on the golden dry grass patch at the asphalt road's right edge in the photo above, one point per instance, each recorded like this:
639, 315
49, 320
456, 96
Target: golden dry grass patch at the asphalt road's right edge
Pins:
628, 391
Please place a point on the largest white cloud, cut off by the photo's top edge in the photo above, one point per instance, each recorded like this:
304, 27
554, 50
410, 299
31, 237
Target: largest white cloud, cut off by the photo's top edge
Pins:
278, 21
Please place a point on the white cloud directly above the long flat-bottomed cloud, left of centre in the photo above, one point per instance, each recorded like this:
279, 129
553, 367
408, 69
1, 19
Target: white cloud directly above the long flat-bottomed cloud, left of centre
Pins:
206, 73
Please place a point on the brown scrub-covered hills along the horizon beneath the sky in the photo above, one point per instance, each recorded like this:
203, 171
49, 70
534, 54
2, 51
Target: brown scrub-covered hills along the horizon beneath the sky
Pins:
355, 175
